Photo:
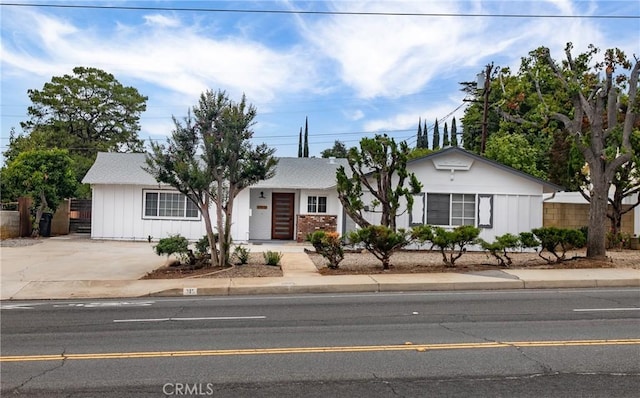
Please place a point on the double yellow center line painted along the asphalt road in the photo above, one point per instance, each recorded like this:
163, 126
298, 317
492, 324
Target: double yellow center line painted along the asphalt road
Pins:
314, 350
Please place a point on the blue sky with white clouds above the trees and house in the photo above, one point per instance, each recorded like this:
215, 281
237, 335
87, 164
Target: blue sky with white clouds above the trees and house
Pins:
353, 68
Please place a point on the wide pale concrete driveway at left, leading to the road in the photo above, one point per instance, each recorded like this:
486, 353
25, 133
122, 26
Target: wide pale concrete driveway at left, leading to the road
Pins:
73, 258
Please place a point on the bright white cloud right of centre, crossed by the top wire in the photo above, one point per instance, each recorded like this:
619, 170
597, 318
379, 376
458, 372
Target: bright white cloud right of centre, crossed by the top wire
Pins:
394, 56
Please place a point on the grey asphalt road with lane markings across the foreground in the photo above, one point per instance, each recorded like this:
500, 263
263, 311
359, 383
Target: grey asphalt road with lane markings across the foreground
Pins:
580, 342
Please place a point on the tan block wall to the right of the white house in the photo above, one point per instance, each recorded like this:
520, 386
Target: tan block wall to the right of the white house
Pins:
574, 215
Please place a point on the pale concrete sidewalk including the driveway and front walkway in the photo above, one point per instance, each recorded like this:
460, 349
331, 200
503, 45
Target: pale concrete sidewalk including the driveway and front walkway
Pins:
68, 267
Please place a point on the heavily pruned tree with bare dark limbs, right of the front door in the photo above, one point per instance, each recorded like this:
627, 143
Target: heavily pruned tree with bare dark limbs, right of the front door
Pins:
380, 166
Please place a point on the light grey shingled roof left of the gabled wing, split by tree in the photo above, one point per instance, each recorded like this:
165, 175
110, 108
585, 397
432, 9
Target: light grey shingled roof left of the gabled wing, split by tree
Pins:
291, 173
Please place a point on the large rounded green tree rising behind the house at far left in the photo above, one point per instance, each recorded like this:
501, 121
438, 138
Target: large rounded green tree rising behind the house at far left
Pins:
86, 112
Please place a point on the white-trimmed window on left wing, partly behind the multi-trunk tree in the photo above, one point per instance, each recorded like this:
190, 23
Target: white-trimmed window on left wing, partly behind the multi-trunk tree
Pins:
164, 204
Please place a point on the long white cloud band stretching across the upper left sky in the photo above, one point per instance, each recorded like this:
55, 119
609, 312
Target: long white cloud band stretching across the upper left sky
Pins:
181, 60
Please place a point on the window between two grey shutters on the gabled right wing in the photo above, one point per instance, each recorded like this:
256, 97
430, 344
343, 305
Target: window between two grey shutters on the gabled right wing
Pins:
451, 209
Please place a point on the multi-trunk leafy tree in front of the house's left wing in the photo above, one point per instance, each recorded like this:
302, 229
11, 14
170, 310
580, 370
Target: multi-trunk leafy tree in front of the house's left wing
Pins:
210, 158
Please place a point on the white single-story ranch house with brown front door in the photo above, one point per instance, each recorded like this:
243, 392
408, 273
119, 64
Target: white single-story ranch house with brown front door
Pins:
458, 188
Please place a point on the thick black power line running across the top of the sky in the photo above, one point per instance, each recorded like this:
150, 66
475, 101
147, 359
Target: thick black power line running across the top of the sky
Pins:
306, 12
